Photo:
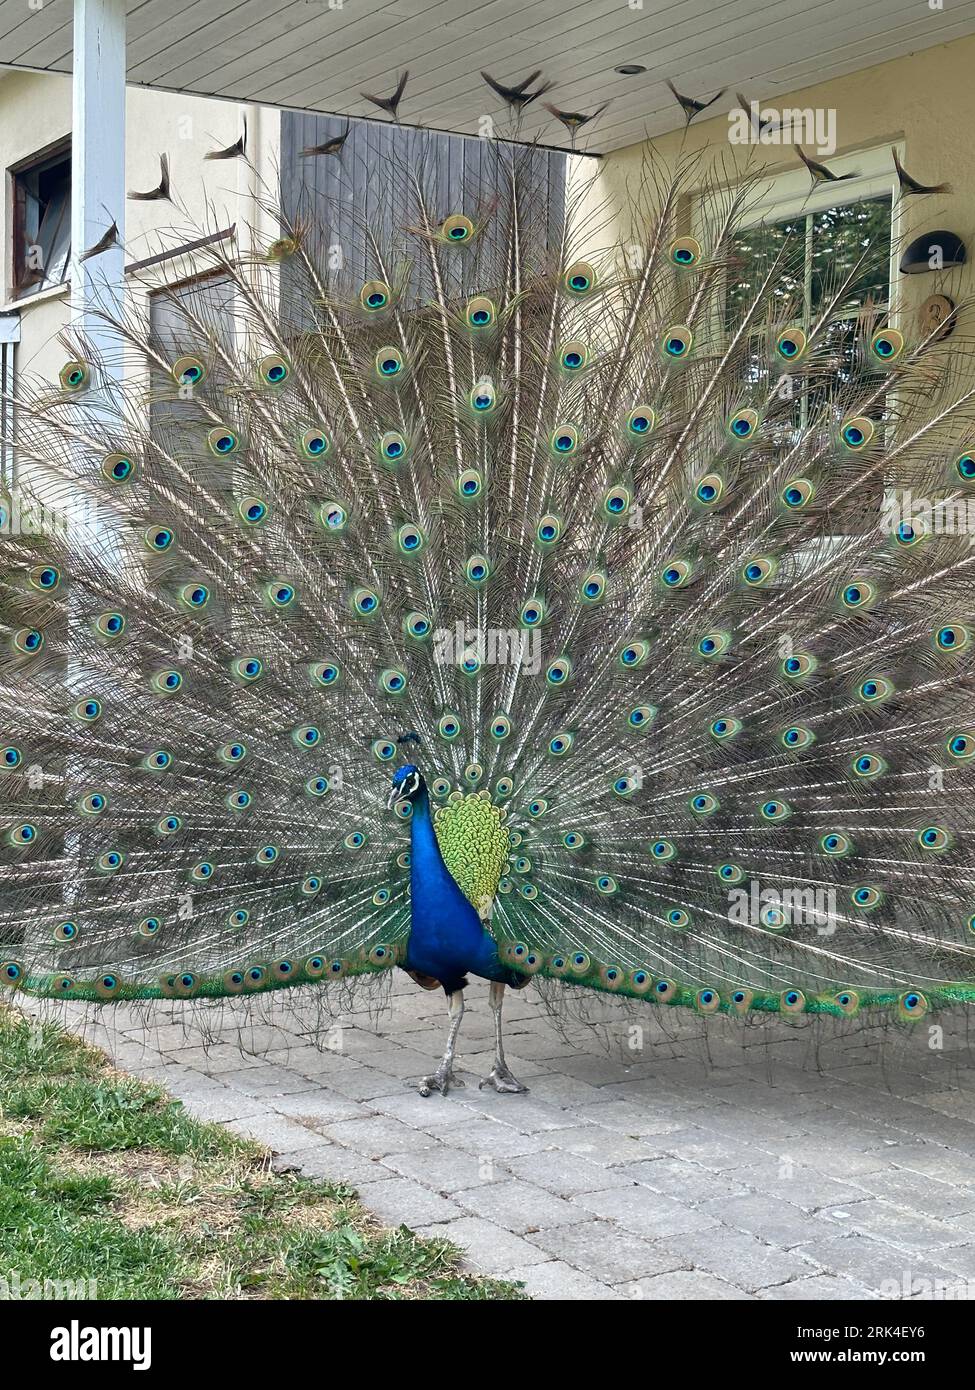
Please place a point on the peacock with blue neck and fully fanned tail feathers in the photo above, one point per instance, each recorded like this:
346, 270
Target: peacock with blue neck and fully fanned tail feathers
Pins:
535, 608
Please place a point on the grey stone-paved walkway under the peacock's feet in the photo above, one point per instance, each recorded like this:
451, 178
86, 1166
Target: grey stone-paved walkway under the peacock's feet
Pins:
709, 1163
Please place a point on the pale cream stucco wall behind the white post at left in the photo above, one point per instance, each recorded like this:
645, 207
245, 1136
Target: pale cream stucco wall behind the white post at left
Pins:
35, 112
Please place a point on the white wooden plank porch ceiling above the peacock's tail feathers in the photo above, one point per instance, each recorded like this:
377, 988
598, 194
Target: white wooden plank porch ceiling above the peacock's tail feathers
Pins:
321, 54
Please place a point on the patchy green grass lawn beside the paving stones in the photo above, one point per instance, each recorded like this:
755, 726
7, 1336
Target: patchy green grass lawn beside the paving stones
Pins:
108, 1179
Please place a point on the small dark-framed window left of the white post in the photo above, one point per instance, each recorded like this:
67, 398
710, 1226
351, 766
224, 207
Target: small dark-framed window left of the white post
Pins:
42, 223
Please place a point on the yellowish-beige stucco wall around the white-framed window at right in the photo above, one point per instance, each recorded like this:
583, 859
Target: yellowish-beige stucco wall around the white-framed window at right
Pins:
924, 104
